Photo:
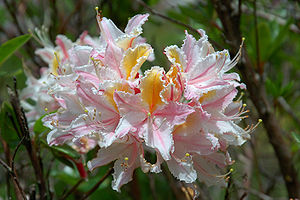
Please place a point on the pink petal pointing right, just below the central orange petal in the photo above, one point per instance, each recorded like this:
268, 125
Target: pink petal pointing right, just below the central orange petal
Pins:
174, 113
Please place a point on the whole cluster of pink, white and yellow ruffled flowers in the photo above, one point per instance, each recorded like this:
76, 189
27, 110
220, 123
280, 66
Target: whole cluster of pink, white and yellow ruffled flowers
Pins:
186, 116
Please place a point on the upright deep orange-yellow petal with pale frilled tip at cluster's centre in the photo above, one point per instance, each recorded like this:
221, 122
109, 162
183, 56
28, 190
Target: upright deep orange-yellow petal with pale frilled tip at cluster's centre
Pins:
151, 87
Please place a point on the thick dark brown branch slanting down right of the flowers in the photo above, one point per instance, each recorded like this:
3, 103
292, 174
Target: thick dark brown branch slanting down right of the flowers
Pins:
256, 88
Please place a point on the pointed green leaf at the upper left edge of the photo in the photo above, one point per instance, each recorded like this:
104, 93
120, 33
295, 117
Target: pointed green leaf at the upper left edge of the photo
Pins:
11, 46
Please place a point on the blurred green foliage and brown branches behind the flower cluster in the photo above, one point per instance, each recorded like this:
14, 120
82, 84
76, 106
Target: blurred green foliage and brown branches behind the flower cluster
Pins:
266, 167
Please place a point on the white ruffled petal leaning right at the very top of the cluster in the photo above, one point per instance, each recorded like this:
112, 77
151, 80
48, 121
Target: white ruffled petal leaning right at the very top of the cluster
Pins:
135, 23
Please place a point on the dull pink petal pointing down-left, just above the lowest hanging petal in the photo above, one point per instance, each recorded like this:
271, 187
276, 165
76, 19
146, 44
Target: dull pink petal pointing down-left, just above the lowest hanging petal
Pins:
107, 155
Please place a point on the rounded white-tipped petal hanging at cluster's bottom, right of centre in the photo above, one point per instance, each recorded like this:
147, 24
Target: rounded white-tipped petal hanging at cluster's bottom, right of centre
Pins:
182, 169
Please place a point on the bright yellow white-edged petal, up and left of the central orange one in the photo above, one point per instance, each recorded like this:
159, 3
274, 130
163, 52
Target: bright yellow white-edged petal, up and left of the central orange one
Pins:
133, 60
